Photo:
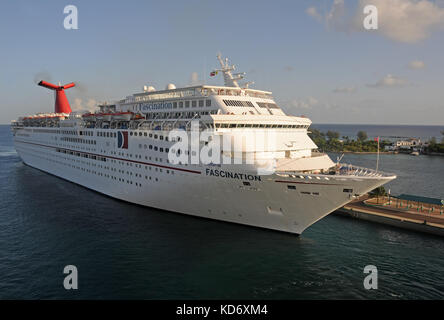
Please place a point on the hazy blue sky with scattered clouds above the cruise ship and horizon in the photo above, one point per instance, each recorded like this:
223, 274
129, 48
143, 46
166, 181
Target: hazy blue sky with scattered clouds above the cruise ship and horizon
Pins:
314, 55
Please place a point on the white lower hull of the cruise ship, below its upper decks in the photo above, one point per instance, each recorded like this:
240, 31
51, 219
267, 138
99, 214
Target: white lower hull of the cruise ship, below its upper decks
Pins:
145, 178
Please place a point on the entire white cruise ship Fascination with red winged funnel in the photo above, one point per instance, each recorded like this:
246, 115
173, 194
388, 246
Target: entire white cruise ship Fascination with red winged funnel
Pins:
227, 153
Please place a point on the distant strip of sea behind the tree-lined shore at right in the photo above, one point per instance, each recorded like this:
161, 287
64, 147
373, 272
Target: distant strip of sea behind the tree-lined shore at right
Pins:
389, 132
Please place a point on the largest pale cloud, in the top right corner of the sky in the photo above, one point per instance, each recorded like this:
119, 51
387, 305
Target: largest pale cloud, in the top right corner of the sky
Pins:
407, 21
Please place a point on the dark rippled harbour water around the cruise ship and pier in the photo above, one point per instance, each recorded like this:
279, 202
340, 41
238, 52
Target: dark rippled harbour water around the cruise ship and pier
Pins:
124, 251
